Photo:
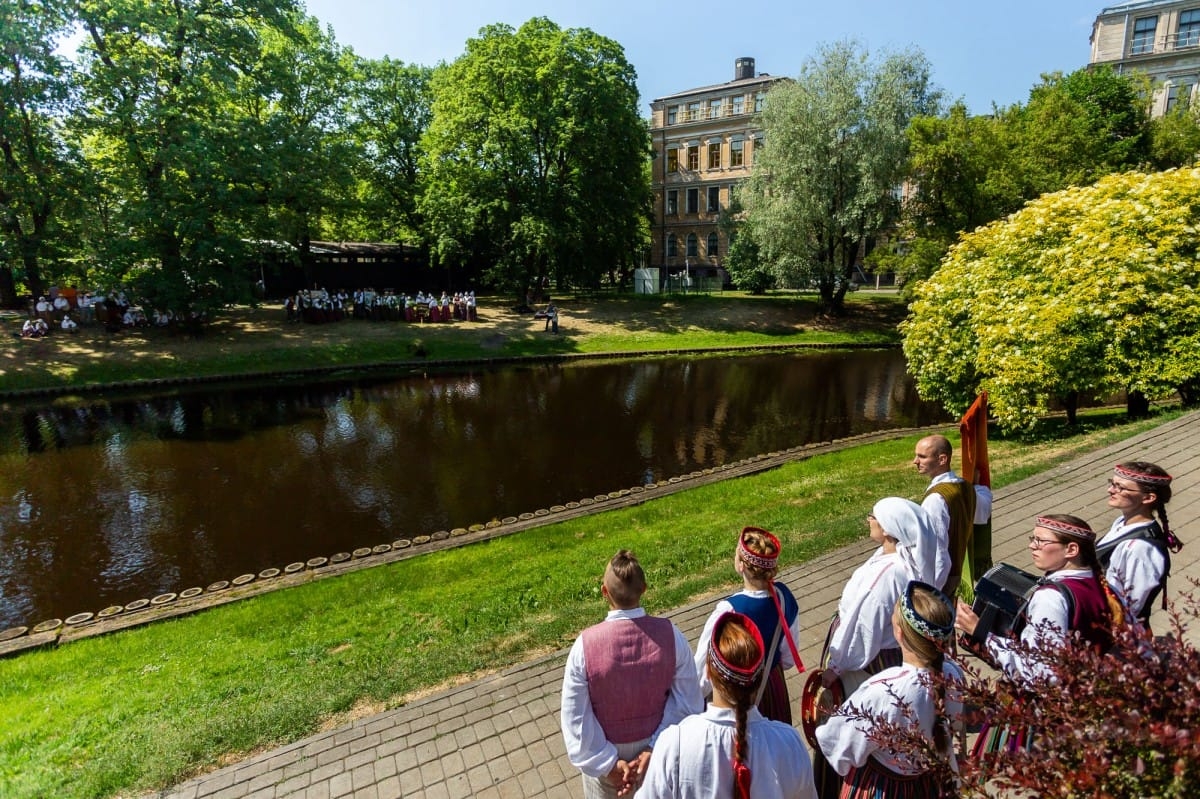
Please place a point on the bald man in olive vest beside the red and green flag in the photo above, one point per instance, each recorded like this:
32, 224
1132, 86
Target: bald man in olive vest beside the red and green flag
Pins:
950, 502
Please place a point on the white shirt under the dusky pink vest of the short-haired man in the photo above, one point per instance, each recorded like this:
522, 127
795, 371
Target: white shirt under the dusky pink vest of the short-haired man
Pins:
587, 747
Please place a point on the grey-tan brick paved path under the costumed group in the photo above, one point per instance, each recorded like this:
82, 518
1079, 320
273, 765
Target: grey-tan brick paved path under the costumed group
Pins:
499, 737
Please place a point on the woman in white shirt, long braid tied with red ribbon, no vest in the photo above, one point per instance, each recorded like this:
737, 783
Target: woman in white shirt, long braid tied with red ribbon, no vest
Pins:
730, 750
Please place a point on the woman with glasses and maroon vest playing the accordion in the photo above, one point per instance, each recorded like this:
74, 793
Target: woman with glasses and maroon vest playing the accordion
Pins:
1071, 598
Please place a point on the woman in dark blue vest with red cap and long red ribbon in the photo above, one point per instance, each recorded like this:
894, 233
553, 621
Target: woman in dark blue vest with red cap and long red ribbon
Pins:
766, 603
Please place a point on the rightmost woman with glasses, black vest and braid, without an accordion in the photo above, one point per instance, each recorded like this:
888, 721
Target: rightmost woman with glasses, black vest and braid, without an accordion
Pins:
1136, 554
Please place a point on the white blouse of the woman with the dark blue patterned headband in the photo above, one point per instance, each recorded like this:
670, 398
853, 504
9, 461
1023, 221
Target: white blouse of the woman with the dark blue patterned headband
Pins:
901, 695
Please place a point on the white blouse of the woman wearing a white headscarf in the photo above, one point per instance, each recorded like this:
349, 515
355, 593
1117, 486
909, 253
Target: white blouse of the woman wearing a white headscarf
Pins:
865, 612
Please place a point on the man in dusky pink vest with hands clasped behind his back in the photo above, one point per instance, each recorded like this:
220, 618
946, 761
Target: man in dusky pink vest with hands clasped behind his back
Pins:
627, 680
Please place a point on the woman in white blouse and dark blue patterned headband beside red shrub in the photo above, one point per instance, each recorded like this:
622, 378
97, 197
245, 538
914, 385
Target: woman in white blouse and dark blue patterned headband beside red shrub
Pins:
911, 695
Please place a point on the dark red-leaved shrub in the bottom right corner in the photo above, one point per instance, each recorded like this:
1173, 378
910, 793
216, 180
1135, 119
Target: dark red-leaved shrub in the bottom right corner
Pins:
1123, 725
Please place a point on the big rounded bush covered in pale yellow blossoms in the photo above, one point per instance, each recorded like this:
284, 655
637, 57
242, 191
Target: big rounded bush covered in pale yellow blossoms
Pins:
1082, 293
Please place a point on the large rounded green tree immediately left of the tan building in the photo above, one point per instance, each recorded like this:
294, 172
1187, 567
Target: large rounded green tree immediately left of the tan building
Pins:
535, 158
